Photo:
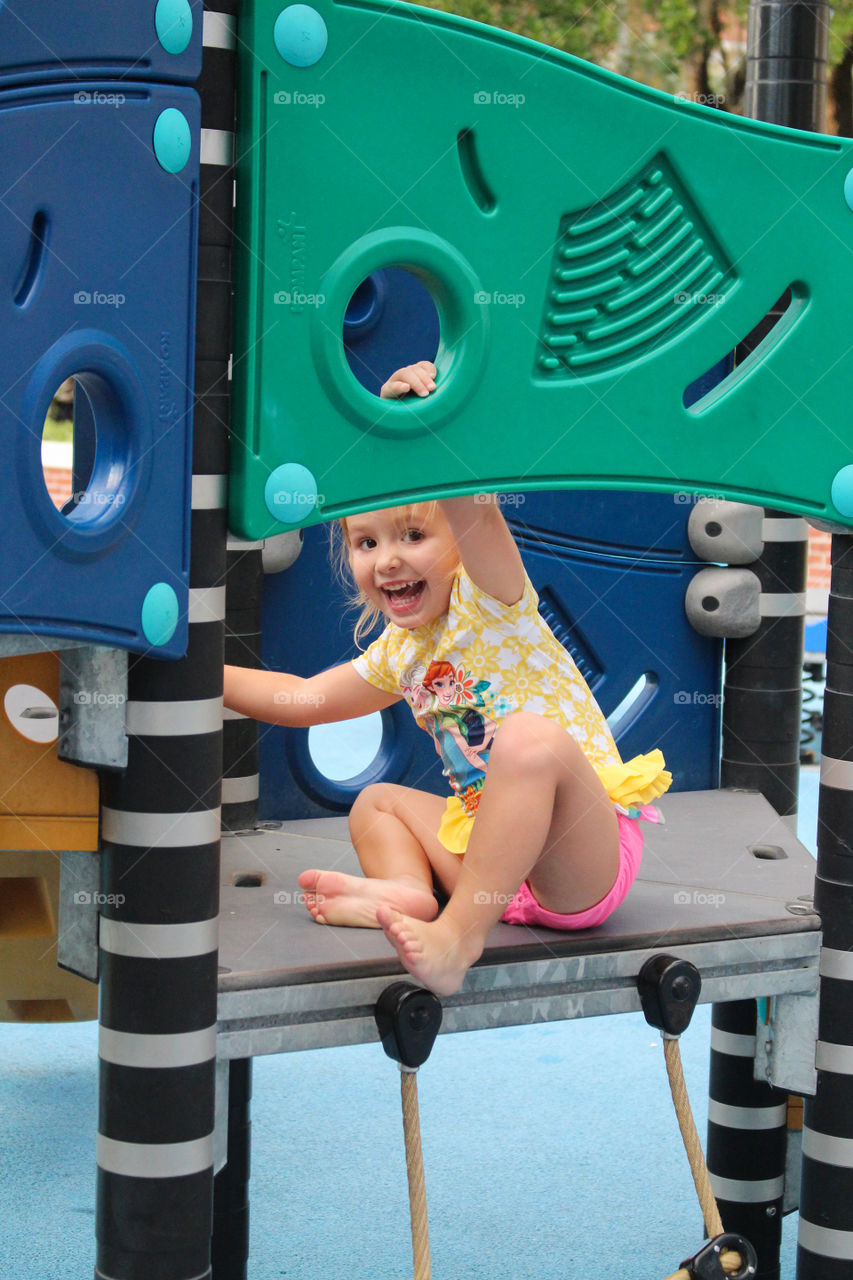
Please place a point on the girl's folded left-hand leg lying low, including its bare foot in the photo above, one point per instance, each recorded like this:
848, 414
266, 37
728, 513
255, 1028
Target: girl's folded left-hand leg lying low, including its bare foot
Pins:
394, 830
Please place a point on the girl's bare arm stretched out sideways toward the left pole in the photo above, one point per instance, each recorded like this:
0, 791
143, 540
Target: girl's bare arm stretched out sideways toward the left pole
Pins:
279, 698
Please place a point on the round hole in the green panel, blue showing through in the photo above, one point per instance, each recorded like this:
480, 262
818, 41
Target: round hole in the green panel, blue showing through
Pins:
391, 321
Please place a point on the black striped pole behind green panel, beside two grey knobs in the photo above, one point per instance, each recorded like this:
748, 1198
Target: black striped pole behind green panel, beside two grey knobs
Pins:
786, 85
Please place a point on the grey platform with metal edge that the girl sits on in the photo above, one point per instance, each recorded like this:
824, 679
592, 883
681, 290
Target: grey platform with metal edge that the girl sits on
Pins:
724, 884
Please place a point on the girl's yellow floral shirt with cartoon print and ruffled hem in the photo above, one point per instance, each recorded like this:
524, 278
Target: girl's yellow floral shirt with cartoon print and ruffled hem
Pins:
466, 673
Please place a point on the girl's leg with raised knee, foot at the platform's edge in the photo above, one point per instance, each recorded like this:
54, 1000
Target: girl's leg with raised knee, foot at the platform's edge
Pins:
545, 817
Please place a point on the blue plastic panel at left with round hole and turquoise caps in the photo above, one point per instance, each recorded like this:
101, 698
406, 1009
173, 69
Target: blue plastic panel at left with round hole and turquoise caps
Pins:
98, 267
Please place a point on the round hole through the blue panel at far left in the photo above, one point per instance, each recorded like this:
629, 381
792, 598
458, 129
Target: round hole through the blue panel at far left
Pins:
84, 451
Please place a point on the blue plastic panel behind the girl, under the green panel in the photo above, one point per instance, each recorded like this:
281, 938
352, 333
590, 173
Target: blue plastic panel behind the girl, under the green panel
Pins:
622, 615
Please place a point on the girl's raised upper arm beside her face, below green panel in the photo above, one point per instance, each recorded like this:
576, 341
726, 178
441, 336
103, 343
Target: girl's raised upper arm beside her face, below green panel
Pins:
486, 546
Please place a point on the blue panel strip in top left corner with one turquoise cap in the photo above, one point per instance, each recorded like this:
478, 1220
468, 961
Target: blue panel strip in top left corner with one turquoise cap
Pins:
102, 40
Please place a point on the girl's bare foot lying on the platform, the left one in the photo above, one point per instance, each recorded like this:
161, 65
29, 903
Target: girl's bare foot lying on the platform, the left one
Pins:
334, 898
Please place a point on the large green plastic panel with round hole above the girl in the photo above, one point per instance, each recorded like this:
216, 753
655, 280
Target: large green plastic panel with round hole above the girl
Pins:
592, 248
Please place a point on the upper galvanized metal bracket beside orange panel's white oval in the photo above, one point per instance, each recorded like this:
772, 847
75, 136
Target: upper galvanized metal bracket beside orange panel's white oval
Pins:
93, 702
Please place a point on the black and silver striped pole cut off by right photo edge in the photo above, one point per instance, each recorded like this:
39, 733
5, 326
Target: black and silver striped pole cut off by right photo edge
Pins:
825, 1244
